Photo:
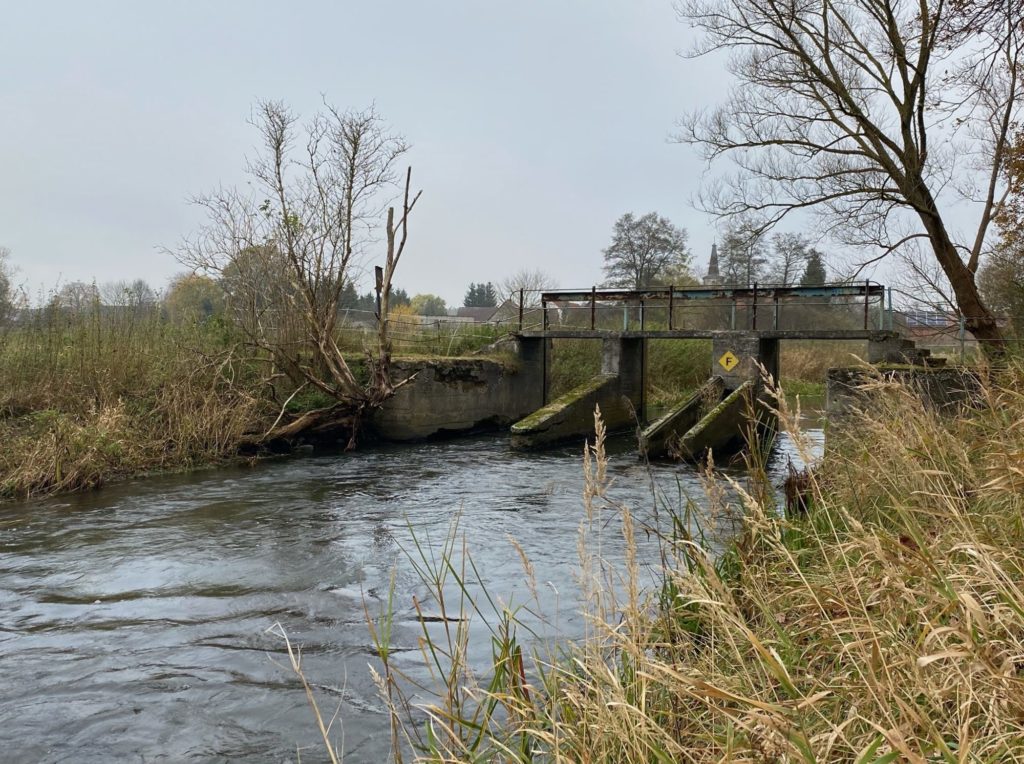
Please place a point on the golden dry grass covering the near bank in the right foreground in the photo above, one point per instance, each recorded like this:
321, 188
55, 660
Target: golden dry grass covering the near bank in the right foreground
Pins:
884, 625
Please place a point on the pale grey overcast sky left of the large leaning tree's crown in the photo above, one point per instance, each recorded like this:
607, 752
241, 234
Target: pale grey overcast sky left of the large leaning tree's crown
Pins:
534, 124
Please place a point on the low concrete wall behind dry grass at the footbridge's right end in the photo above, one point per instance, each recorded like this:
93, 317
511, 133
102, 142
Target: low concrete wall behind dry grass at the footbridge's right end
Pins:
946, 389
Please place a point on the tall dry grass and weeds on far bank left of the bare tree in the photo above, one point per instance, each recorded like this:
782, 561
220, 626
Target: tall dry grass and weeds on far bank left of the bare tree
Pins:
95, 395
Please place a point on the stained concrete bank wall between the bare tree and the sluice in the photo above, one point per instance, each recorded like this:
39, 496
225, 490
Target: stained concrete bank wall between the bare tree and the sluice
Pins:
451, 396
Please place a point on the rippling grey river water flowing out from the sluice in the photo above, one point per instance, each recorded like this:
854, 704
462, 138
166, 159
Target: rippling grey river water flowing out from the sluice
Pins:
135, 621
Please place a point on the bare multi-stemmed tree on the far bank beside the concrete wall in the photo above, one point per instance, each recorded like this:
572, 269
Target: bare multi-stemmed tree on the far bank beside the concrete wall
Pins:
286, 246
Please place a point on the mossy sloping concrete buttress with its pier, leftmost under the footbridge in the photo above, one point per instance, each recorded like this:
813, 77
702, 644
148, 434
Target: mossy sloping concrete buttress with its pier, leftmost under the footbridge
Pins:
618, 391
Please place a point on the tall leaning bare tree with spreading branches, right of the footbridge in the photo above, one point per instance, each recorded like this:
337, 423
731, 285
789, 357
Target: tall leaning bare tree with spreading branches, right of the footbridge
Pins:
870, 112
